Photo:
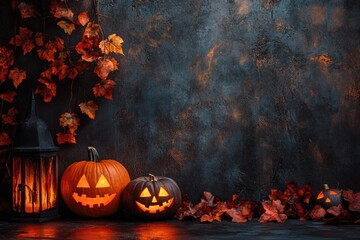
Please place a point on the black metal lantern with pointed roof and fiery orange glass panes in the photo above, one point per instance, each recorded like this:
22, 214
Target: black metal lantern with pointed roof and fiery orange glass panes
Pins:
34, 171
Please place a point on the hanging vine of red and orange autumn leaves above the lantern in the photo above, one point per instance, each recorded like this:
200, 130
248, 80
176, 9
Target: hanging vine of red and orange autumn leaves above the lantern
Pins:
61, 62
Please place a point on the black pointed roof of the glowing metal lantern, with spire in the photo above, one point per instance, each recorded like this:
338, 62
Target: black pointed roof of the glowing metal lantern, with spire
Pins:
33, 134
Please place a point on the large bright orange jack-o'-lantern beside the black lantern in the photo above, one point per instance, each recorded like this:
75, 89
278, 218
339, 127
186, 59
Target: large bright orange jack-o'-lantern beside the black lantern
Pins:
93, 188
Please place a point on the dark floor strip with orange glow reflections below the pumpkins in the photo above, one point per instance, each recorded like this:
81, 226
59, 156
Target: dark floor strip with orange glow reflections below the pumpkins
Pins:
174, 229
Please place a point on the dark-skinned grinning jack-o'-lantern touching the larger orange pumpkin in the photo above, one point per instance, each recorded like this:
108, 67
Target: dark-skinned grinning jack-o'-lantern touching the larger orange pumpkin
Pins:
151, 198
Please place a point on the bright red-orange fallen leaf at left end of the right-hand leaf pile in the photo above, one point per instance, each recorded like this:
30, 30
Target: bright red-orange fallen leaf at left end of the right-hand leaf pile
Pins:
273, 212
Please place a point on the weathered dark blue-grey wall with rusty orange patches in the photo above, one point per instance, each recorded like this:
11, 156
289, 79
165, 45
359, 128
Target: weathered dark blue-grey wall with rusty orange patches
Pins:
232, 95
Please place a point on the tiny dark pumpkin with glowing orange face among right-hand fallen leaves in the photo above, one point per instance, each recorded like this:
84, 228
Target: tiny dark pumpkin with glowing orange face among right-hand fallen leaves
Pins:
329, 197
